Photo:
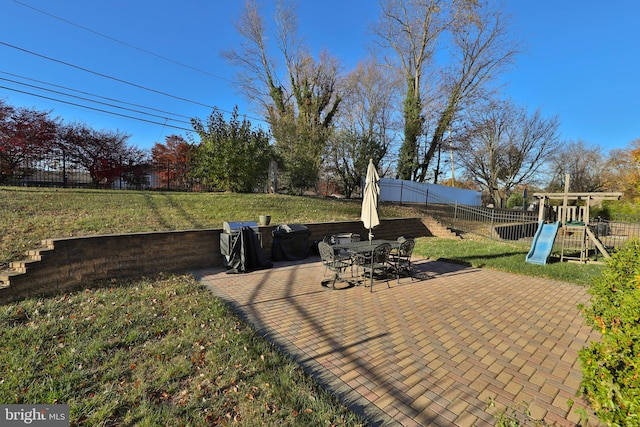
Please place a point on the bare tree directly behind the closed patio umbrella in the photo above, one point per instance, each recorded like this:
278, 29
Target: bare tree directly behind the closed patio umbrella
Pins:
366, 126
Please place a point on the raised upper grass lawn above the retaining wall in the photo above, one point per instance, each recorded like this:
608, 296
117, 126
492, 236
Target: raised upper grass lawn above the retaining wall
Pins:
29, 215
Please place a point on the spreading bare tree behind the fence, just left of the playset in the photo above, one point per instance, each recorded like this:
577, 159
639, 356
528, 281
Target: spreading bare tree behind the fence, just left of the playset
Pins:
503, 147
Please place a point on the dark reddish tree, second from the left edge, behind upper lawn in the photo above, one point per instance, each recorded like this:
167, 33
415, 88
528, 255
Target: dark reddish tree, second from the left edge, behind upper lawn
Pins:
105, 154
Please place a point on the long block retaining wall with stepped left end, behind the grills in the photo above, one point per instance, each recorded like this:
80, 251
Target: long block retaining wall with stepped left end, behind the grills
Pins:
73, 263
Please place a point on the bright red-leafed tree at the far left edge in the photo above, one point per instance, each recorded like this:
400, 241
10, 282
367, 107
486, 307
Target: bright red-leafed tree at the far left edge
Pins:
26, 136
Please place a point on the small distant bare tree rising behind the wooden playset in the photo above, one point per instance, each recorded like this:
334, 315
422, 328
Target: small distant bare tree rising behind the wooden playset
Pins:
584, 164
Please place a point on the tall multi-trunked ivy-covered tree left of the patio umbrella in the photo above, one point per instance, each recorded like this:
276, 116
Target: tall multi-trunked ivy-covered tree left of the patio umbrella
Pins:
297, 93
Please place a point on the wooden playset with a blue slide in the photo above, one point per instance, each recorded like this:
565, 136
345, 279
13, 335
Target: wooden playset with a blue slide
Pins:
571, 223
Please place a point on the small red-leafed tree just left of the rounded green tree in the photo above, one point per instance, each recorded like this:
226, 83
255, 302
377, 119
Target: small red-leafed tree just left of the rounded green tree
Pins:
171, 160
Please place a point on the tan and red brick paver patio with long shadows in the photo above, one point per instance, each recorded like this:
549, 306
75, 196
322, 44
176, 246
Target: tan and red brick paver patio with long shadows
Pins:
430, 351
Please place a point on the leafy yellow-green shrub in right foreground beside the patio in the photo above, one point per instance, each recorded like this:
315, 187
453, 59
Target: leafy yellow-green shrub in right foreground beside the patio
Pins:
611, 366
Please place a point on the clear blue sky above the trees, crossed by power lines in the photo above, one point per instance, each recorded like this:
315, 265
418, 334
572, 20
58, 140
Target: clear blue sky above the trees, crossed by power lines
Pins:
580, 62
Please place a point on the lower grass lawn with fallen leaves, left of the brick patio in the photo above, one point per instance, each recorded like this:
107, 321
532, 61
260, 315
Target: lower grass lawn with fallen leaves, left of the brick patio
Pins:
153, 352
